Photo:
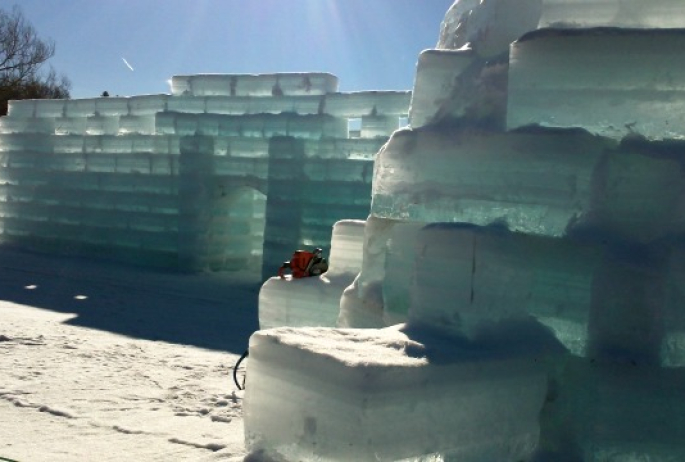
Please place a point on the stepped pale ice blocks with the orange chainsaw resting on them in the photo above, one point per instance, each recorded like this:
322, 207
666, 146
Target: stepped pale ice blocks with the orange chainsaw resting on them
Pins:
315, 301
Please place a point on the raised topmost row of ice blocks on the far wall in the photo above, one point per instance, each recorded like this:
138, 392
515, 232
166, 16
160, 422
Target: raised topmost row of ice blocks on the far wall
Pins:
306, 83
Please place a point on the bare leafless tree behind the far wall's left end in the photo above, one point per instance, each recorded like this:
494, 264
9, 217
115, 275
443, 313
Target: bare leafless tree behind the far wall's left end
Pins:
22, 55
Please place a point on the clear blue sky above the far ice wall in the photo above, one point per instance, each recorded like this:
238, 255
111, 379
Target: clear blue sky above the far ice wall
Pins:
368, 44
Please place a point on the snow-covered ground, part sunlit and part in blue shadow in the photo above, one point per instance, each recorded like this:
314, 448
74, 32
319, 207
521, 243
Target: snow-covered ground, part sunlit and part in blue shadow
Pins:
104, 362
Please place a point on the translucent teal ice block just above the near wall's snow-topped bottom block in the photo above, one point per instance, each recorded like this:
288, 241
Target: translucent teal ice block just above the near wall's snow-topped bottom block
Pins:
467, 279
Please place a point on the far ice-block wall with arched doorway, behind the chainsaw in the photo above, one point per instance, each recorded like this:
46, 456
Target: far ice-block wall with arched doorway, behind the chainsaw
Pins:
225, 171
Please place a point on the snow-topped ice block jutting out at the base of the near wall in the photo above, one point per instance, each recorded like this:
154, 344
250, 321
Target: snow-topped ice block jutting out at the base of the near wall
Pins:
367, 394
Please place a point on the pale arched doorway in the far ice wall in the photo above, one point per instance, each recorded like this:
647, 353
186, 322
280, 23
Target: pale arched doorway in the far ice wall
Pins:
235, 238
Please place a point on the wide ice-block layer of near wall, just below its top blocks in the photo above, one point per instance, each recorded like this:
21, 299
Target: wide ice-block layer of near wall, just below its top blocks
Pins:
539, 181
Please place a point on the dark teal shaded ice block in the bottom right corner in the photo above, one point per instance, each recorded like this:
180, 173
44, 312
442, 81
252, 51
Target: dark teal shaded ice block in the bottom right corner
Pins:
604, 411
